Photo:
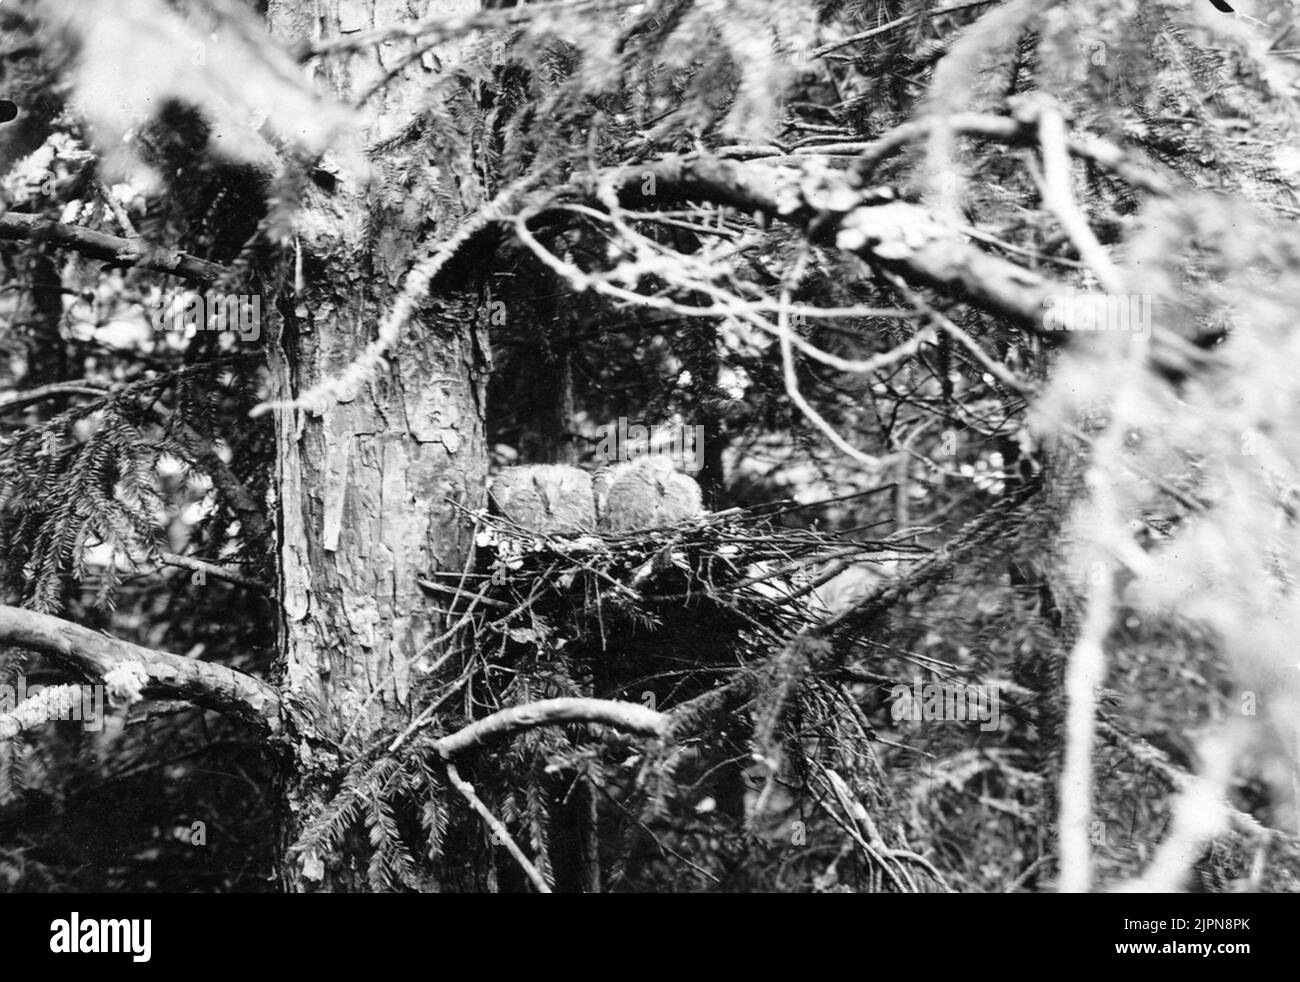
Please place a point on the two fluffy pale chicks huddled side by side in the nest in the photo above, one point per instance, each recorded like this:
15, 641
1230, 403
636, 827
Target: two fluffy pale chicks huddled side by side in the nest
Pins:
562, 500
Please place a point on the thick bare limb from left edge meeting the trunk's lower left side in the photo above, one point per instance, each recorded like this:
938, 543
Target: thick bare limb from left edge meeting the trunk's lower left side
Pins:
94, 655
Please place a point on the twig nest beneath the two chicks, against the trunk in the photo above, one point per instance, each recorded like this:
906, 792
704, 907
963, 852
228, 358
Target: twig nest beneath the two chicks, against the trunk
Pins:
668, 609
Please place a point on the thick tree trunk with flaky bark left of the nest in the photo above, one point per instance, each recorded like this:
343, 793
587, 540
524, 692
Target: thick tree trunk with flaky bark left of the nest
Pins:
366, 490
